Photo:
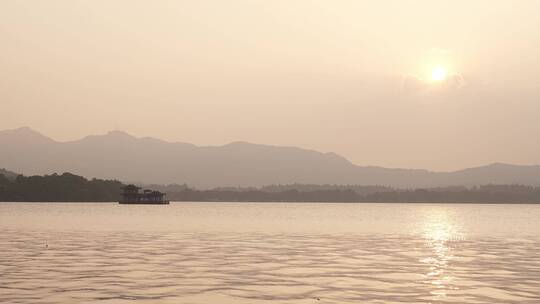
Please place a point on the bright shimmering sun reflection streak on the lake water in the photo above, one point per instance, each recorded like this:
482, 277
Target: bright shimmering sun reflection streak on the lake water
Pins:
439, 231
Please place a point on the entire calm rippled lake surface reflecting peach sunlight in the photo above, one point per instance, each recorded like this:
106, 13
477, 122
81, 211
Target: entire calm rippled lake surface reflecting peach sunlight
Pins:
269, 253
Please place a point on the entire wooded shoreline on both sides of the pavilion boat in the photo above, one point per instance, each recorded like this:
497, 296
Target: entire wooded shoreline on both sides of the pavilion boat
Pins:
68, 187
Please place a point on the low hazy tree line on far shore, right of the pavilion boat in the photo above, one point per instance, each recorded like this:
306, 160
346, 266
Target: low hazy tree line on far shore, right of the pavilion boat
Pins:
478, 194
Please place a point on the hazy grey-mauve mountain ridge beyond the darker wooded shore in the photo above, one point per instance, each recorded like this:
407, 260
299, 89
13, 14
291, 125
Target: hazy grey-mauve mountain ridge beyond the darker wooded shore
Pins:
153, 161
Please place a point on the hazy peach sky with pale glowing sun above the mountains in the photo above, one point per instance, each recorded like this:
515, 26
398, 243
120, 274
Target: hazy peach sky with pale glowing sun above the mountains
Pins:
426, 84
